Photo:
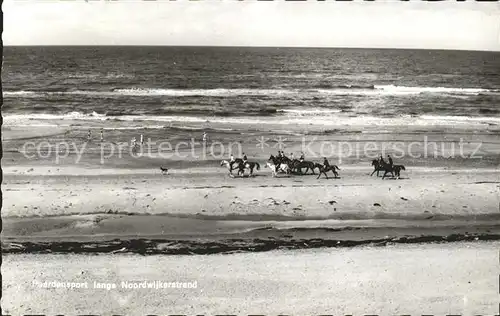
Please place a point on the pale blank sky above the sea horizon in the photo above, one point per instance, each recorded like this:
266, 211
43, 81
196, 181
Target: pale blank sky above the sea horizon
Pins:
465, 25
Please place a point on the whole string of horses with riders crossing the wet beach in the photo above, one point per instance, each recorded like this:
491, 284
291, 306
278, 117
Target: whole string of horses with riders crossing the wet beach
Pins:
285, 165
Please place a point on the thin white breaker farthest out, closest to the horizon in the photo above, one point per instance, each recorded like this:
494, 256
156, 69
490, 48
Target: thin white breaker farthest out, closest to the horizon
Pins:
326, 88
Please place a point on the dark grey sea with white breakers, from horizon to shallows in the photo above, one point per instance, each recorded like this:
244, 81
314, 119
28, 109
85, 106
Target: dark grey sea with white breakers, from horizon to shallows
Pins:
328, 86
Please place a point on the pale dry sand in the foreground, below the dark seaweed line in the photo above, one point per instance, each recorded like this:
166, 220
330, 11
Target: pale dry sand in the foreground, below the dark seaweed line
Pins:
428, 279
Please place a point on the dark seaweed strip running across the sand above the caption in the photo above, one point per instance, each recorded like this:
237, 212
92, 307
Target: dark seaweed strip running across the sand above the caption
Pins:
188, 247
